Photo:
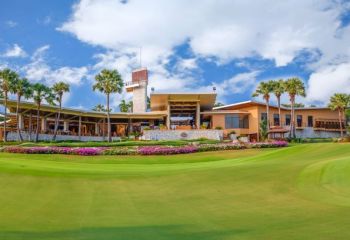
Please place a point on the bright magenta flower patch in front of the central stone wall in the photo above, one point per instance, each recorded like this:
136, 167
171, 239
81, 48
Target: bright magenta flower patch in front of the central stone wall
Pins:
158, 150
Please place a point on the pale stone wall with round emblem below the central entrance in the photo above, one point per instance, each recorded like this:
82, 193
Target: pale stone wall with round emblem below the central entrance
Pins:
182, 134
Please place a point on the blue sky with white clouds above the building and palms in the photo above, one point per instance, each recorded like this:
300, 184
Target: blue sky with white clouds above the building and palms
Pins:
187, 46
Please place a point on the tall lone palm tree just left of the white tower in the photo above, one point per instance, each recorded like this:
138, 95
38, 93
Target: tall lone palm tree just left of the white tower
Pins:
108, 82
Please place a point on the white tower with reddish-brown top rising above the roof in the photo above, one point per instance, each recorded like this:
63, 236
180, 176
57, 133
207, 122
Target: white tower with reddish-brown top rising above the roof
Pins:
138, 86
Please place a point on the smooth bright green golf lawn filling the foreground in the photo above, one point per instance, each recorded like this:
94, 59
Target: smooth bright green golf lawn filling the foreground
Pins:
299, 192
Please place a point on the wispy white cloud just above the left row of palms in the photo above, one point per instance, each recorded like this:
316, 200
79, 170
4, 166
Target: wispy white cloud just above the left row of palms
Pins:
40, 71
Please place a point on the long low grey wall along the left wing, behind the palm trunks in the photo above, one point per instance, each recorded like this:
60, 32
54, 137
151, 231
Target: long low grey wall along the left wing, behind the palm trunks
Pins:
12, 136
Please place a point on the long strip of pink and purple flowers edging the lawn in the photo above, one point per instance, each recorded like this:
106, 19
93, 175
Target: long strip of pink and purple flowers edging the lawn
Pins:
141, 150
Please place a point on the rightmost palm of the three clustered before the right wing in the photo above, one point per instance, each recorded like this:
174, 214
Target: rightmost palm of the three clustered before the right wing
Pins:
294, 87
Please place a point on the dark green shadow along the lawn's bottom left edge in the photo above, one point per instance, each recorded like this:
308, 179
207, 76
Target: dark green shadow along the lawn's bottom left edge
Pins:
124, 233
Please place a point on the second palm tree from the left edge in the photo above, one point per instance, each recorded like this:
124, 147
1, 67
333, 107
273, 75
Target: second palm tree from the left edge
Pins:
22, 88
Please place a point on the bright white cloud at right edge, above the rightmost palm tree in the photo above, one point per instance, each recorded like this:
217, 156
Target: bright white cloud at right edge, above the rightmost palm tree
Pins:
329, 80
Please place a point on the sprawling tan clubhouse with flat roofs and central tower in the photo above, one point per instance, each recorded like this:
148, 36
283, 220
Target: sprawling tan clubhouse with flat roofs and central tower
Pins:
170, 116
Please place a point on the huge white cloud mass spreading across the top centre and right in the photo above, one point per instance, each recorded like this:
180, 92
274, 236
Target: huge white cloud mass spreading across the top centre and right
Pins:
219, 30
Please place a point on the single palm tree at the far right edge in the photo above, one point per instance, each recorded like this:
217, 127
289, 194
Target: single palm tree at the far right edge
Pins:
340, 102
